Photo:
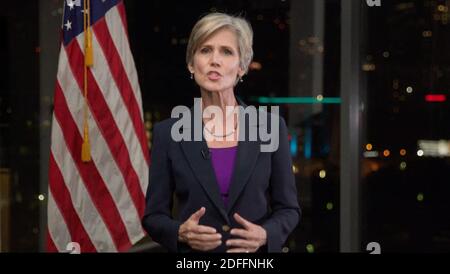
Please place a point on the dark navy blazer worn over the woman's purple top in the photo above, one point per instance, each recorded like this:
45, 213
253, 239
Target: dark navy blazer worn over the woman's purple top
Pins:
262, 189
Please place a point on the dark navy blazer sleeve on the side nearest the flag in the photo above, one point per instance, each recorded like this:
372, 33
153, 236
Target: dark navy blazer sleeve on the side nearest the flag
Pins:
157, 220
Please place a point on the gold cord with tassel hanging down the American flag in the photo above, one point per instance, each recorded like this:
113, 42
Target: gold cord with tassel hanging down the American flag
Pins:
88, 62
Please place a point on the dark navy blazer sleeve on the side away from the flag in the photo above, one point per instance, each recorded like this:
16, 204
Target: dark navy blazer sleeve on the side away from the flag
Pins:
286, 211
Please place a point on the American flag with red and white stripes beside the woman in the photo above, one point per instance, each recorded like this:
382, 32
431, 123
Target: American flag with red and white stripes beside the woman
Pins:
97, 203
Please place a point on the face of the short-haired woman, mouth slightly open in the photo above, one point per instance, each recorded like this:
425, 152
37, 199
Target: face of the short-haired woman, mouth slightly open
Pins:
216, 62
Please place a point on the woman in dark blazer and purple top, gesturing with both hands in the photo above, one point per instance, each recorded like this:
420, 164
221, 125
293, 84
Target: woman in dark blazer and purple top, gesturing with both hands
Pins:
231, 197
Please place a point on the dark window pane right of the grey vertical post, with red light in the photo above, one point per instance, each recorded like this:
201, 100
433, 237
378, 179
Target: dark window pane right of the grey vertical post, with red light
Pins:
405, 168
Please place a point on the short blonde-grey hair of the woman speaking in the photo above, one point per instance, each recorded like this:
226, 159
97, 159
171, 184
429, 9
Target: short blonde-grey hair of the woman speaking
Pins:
213, 22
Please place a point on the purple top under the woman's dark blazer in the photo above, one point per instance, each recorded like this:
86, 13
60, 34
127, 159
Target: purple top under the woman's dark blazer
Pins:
223, 163
